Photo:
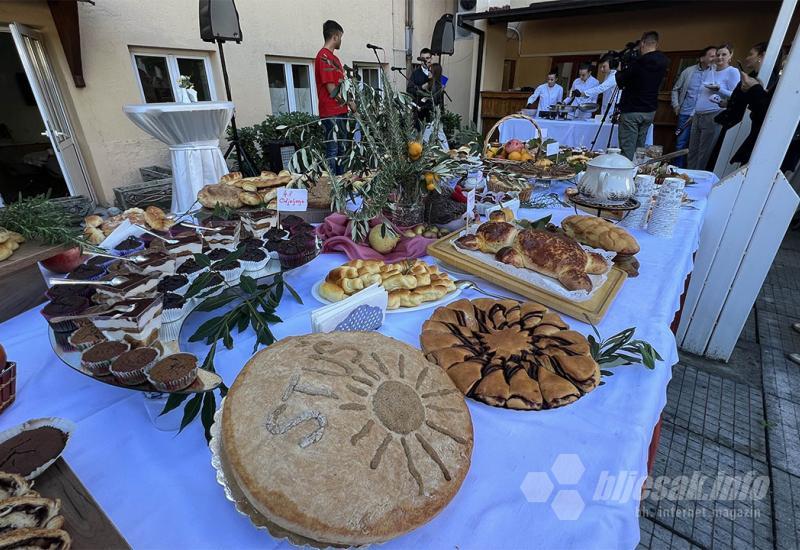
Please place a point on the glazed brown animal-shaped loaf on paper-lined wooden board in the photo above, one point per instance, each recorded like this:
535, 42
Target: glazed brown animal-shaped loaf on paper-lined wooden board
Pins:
549, 267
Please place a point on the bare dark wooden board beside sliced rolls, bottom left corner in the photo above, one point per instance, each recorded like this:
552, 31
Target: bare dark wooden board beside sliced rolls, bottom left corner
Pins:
84, 520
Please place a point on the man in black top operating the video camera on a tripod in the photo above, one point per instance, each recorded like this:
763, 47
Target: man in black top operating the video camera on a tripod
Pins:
640, 81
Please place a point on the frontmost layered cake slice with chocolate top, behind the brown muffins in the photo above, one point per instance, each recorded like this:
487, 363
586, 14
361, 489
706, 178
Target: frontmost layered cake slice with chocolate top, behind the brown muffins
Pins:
139, 327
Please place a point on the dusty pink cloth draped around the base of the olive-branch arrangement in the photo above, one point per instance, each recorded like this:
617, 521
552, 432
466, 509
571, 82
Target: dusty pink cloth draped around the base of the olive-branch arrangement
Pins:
335, 232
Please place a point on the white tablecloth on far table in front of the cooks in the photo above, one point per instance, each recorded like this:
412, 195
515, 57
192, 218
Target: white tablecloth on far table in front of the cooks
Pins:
573, 133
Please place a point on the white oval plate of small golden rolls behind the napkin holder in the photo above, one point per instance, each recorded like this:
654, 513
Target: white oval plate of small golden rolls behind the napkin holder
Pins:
412, 285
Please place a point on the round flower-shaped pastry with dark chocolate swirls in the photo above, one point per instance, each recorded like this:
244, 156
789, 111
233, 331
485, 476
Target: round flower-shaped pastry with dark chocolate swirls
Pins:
507, 354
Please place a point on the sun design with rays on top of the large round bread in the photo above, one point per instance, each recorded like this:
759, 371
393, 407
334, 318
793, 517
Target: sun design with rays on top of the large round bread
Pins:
396, 401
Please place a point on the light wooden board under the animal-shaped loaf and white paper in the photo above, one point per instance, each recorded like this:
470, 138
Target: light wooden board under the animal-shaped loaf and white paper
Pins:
593, 309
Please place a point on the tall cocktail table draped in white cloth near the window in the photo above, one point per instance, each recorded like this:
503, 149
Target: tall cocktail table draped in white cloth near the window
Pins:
192, 131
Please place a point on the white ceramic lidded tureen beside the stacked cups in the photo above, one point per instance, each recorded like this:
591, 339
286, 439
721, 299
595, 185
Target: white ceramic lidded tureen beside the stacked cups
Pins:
608, 178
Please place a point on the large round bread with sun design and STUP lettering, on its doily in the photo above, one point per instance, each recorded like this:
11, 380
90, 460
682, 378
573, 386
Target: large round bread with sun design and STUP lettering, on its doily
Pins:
308, 408
